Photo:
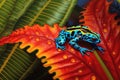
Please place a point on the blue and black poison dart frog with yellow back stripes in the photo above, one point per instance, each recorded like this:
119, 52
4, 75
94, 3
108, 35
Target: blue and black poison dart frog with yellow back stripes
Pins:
75, 34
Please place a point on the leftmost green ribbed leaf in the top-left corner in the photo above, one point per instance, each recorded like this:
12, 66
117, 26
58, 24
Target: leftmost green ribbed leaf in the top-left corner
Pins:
6, 7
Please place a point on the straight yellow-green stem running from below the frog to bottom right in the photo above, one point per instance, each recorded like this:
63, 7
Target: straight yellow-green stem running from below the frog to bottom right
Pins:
103, 66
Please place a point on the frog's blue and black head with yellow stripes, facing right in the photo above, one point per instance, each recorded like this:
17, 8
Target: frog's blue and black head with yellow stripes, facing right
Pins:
90, 36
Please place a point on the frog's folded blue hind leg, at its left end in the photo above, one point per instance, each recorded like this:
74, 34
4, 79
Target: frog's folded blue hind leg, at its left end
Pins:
60, 40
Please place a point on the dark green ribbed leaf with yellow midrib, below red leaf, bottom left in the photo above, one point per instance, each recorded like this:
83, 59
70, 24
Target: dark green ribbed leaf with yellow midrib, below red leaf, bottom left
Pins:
15, 64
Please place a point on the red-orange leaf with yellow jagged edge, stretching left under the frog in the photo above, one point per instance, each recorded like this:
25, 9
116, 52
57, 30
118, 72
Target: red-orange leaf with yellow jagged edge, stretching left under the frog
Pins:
68, 64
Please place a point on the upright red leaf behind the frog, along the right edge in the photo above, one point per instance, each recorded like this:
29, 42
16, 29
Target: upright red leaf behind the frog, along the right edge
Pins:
97, 17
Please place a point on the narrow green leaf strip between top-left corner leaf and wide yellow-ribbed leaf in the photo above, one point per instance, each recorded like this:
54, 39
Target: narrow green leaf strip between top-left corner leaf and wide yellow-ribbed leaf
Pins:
20, 7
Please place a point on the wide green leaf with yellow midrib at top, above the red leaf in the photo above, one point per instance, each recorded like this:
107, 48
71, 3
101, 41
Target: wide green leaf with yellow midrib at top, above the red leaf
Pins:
47, 12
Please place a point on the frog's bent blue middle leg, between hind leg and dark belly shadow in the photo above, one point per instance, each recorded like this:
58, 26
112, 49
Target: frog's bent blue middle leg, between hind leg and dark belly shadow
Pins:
74, 44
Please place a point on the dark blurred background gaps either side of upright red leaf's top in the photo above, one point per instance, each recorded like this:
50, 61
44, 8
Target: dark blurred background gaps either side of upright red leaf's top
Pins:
74, 18
